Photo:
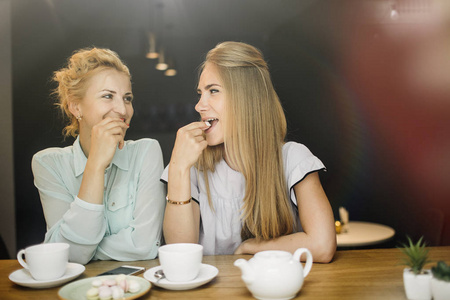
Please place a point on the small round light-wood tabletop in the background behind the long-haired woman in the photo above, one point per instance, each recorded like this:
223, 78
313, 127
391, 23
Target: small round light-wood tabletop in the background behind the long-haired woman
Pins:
364, 234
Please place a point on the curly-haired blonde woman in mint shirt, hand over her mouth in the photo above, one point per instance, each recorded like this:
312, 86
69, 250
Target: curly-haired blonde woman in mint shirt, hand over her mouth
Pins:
102, 195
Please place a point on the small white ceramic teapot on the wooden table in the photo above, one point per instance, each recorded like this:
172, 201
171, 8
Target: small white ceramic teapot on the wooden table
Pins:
275, 274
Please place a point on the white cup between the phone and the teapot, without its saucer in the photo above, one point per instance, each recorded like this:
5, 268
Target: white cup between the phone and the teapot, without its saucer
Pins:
181, 262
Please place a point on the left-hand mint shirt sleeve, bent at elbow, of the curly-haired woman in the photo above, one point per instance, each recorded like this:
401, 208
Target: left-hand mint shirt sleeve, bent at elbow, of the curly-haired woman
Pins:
69, 219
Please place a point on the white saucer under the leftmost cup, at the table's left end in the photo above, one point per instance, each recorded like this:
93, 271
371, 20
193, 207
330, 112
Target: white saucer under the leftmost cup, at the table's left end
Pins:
23, 277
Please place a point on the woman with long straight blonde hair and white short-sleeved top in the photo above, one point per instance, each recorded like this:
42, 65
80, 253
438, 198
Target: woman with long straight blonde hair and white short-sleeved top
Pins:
234, 185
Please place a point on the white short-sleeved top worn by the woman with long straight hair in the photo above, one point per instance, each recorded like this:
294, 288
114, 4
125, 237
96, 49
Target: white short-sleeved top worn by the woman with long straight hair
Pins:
220, 230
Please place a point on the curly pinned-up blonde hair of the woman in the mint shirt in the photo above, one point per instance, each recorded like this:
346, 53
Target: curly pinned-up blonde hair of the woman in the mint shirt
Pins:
73, 80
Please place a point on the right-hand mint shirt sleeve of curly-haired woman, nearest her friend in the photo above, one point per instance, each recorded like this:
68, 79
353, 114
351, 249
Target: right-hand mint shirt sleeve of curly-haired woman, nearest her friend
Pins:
142, 238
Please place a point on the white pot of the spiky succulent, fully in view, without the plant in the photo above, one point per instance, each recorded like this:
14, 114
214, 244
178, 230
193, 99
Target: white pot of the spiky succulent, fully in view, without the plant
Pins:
417, 287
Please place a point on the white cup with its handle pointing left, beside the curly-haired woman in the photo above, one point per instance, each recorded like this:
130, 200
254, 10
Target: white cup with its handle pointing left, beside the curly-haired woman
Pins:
45, 261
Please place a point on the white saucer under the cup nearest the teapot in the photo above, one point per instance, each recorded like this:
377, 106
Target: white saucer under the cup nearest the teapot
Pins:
207, 273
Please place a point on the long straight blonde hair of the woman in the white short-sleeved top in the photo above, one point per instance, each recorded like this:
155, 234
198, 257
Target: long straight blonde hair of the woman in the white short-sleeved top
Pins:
253, 140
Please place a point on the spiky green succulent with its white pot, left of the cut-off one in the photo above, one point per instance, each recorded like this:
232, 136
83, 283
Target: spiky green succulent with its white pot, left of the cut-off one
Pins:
416, 279
